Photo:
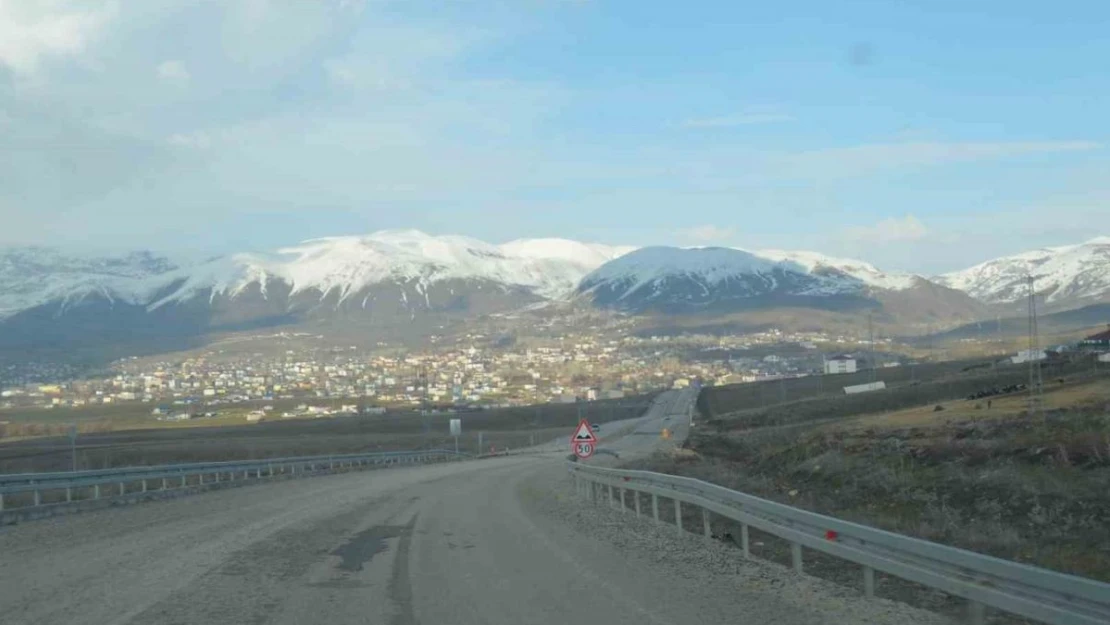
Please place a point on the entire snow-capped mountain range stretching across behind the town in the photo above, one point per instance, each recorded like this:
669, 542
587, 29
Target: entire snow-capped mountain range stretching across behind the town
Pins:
409, 279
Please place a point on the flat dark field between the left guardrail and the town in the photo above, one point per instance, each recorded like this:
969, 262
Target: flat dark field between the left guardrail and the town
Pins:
106, 443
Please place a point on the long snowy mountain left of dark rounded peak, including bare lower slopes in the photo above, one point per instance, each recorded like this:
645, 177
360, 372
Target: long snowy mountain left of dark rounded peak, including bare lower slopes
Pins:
402, 280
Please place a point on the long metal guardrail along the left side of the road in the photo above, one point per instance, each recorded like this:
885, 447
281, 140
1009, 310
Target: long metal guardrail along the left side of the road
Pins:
178, 476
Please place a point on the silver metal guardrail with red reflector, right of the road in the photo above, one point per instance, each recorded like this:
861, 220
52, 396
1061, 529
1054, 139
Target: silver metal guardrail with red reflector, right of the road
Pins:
984, 581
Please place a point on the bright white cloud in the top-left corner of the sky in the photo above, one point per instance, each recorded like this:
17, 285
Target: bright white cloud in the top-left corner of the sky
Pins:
33, 32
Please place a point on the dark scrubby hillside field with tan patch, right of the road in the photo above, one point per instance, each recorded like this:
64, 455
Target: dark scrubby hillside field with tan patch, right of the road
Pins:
988, 478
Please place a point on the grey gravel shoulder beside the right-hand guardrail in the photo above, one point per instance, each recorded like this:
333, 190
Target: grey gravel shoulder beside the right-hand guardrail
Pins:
688, 580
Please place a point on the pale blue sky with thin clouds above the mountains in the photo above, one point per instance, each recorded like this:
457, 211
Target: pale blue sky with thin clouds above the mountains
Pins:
922, 136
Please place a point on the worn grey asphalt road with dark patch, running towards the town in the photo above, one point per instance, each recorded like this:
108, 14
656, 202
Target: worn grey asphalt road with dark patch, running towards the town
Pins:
498, 541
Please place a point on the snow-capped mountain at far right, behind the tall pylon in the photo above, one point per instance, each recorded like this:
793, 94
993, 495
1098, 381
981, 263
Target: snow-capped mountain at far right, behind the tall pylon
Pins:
1067, 277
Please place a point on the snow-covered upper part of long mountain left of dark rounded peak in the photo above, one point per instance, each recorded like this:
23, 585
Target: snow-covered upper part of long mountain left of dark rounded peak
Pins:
340, 267
